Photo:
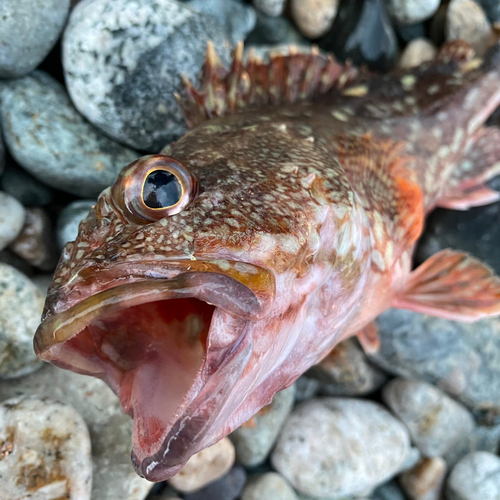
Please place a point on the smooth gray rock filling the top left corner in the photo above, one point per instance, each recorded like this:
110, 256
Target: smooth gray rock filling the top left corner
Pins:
28, 31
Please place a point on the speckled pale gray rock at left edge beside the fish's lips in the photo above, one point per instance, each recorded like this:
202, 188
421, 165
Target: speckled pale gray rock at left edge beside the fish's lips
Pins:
21, 306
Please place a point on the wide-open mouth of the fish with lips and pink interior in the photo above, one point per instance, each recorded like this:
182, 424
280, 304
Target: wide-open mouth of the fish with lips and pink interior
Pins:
157, 342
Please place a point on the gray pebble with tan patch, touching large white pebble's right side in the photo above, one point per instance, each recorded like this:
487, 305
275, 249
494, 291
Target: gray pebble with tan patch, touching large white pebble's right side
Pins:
437, 424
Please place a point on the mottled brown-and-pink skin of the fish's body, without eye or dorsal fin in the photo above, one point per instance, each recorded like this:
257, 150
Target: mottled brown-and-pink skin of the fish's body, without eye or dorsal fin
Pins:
326, 195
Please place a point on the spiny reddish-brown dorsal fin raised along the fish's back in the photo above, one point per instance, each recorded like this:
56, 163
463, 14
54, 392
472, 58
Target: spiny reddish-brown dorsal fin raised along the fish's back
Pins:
284, 79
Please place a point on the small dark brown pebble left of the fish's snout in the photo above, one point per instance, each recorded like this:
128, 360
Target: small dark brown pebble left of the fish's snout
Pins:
36, 243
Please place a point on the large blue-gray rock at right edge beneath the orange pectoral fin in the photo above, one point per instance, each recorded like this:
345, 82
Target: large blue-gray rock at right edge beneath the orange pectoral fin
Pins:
461, 359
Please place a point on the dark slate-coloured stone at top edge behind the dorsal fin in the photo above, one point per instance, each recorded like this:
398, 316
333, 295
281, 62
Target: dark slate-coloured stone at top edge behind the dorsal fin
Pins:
363, 34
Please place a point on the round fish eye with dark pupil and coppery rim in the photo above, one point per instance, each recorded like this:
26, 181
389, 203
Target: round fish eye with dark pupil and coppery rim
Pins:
154, 187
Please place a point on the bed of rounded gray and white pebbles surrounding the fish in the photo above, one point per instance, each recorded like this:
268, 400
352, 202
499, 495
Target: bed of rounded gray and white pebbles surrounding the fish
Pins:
85, 88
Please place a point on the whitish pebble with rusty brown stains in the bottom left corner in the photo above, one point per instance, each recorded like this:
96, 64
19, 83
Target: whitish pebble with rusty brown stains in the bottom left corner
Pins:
44, 451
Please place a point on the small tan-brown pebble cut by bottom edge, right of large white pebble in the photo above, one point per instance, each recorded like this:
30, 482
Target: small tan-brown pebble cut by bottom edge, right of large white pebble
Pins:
426, 480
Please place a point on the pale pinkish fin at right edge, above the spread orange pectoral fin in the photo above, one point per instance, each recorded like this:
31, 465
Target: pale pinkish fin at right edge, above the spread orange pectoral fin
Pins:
467, 186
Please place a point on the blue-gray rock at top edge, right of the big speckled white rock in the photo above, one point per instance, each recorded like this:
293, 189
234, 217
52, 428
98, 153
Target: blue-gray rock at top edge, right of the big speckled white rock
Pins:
237, 18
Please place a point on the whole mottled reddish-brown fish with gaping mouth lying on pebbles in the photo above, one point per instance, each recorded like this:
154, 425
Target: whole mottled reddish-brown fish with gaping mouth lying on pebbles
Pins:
212, 275
